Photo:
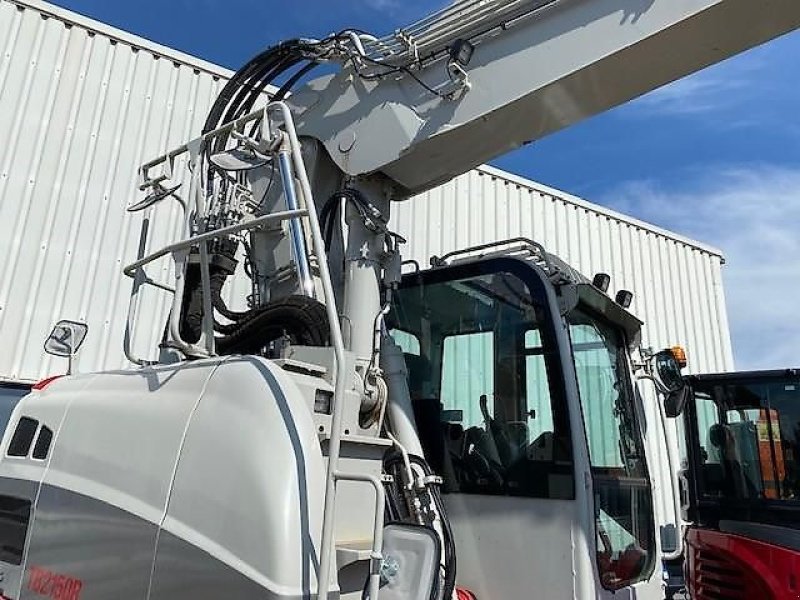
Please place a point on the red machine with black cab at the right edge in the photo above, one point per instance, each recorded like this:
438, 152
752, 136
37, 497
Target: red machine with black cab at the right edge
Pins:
741, 485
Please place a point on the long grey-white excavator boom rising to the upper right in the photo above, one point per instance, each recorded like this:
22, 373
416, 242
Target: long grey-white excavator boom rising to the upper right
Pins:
483, 78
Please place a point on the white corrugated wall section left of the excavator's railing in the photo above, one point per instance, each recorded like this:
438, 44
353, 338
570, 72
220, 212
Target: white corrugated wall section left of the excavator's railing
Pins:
81, 107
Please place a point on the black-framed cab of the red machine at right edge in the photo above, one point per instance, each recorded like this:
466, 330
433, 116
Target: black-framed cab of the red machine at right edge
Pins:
743, 448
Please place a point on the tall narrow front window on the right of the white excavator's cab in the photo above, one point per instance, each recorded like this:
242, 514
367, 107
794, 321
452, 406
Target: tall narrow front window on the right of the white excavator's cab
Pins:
623, 501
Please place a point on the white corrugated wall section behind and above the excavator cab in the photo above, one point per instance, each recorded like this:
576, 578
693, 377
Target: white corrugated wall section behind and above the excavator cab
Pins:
677, 282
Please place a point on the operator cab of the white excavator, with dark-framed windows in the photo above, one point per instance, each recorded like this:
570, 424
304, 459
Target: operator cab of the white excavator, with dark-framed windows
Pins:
517, 368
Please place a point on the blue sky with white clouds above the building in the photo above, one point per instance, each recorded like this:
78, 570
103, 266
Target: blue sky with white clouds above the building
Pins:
715, 156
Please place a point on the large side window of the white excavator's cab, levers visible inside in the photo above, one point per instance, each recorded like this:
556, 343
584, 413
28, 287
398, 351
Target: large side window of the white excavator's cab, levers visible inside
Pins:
481, 386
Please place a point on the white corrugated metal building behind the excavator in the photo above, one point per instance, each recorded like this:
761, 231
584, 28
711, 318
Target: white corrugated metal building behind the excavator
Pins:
83, 104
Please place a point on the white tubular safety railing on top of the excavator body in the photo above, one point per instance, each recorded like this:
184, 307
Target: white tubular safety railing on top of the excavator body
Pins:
278, 138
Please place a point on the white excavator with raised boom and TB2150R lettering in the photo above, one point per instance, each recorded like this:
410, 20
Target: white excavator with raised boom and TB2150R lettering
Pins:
354, 427
